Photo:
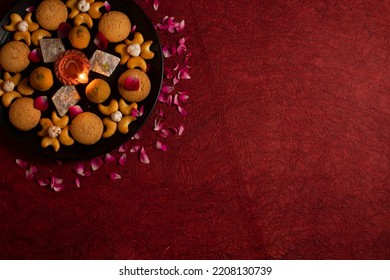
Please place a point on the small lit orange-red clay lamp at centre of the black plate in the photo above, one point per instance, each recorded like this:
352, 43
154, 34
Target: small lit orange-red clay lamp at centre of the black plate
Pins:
72, 68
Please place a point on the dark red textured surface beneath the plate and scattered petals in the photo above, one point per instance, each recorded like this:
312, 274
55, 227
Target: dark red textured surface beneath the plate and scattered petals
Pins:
285, 155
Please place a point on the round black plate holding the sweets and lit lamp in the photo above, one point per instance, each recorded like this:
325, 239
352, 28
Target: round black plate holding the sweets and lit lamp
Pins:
77, 151
